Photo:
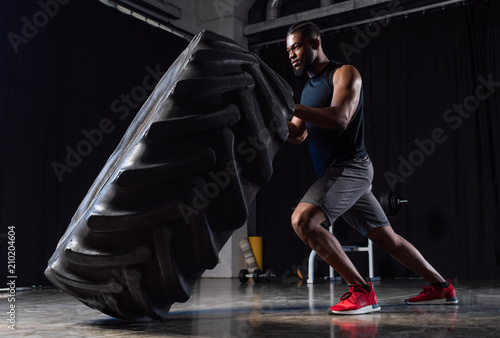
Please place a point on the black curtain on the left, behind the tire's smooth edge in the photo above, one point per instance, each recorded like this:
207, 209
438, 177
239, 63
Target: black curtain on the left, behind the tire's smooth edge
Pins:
72, 77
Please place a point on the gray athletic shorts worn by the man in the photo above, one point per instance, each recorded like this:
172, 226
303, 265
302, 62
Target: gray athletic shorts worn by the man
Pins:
344, 191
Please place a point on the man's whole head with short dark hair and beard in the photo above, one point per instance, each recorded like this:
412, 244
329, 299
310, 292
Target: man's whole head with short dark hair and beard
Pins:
303, 42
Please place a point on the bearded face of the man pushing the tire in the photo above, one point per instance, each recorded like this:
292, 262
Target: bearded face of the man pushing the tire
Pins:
300, 53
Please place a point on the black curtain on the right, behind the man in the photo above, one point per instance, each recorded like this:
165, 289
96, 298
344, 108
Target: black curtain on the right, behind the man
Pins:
432, 89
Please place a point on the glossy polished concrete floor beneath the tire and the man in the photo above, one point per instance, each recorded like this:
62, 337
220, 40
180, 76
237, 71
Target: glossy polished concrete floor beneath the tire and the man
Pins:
226, 308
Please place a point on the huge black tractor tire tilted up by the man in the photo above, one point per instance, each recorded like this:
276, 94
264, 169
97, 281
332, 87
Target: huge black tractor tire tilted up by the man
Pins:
177, 185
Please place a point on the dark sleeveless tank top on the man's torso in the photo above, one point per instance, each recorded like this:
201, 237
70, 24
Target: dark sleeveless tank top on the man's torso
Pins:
328, 145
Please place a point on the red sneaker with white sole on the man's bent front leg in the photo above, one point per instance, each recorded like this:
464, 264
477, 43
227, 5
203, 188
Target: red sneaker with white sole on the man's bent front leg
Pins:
357, 301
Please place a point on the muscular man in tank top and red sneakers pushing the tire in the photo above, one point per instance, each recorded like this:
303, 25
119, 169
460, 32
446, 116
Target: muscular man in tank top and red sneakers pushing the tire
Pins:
331, 117
